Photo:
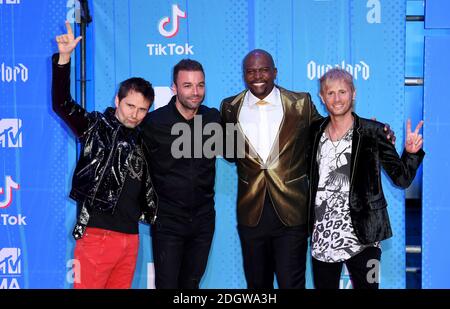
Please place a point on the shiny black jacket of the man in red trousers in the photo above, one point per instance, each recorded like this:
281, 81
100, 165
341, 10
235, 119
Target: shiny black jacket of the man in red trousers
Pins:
106, 148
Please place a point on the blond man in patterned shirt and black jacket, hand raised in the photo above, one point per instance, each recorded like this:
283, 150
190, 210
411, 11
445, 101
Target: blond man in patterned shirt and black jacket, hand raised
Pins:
347, 205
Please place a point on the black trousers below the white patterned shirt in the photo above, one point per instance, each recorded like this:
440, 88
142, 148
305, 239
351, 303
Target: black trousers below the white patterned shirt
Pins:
363, 269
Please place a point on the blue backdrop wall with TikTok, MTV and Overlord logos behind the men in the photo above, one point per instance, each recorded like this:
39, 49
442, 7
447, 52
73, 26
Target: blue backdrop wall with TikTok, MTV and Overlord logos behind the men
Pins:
146, 38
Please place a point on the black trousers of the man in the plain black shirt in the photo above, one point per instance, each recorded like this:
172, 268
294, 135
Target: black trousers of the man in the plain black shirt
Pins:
180, 249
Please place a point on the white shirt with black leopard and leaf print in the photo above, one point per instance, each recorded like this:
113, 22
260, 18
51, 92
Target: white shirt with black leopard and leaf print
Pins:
333, 238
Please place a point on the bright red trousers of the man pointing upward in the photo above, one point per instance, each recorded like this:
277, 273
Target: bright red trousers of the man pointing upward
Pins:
107, 259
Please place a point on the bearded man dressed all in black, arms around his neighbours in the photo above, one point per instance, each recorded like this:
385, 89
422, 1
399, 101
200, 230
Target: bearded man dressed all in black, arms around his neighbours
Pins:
183, 175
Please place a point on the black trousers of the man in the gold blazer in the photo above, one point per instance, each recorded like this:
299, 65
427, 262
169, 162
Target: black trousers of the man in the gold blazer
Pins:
272, 247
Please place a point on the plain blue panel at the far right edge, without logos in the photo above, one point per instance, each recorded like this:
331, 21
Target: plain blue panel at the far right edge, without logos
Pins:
436, 213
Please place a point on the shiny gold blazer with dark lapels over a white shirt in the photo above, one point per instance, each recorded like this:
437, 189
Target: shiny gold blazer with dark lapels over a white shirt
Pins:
284, 175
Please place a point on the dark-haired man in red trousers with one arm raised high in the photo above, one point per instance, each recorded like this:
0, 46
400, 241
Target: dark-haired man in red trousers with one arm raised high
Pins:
111, 181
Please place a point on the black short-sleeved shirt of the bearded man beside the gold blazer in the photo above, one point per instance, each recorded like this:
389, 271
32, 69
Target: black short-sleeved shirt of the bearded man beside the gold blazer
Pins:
185, 185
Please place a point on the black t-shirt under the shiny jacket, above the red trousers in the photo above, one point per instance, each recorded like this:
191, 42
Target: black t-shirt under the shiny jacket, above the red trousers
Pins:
127, 212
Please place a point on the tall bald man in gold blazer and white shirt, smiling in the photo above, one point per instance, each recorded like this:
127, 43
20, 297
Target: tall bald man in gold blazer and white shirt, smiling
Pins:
272, 174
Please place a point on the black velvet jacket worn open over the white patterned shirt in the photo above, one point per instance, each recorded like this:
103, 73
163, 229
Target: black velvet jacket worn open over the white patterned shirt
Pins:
371, 150
